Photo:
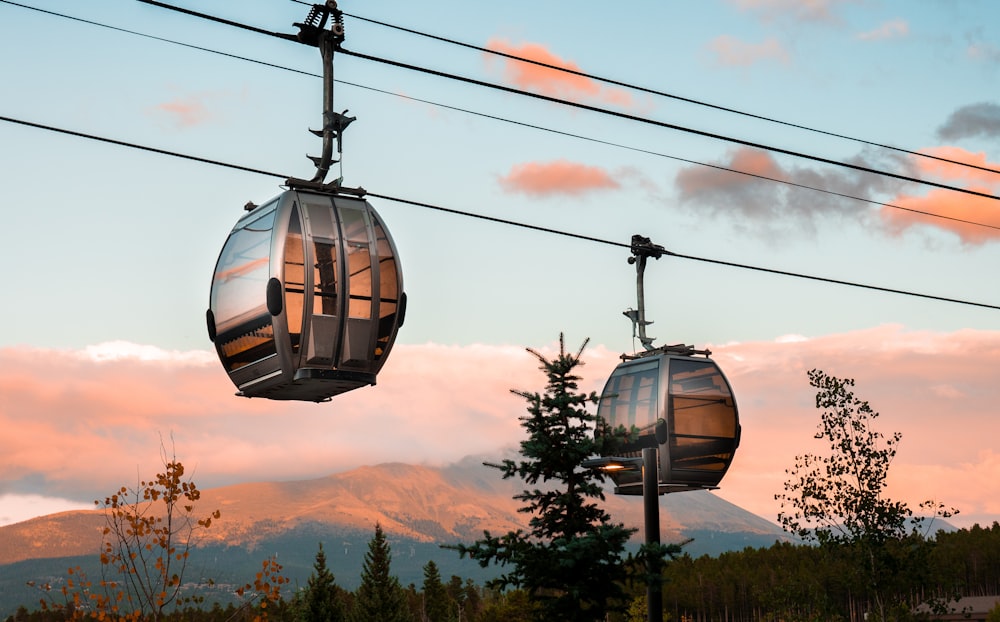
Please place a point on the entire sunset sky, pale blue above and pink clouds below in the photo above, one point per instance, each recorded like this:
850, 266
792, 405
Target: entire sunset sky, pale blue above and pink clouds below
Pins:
108, 251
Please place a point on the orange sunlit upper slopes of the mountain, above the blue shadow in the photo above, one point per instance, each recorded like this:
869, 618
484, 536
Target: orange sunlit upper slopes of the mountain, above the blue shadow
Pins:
419, 503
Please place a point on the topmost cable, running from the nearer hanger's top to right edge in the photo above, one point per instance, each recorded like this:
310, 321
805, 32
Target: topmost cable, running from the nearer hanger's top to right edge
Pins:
664, 94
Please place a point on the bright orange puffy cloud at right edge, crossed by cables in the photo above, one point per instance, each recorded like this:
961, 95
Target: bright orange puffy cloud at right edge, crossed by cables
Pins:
963, 207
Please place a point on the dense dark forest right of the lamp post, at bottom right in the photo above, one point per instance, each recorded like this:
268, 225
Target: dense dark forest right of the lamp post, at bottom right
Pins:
803, 582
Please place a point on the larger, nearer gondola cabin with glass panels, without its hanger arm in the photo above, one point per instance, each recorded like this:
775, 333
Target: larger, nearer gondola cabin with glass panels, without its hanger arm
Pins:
306, 298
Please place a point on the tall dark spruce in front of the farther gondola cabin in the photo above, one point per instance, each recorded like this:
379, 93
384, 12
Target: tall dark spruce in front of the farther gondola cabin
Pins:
571, 560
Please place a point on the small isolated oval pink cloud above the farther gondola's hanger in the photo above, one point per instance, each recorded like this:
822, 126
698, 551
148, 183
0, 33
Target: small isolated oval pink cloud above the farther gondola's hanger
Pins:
558, 177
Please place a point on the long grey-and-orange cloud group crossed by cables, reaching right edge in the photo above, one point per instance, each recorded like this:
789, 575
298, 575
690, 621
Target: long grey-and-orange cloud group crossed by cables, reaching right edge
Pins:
771, 207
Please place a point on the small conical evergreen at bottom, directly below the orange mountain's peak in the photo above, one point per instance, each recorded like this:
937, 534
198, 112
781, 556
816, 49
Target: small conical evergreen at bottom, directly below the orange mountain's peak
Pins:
380, 596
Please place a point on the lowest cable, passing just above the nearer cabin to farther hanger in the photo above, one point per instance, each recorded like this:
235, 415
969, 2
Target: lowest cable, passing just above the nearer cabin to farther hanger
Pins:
510, 222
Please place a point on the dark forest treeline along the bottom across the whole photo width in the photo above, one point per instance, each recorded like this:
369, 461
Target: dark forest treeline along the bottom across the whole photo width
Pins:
782, 582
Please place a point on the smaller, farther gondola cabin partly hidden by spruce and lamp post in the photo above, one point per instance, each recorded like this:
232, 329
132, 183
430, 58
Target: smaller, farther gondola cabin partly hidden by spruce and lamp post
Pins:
680, 403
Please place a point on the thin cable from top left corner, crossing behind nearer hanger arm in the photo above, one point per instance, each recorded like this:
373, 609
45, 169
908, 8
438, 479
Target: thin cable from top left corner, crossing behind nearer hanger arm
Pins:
514, 122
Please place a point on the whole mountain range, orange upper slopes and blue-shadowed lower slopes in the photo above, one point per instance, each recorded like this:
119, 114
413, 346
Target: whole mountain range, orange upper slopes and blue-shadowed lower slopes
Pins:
419, 508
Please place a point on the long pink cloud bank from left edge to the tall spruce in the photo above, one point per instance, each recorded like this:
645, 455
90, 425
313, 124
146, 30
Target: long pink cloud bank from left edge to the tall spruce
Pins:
106, 416
